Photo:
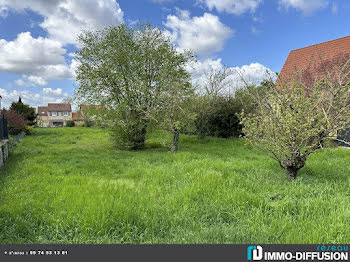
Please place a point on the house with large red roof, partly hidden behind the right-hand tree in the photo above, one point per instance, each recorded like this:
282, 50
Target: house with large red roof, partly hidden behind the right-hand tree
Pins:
312, 60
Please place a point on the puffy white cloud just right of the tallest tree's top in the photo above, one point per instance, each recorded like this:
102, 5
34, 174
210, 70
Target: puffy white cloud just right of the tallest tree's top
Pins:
204, 34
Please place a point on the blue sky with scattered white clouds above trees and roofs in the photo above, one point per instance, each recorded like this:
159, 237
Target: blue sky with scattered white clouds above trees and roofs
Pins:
38, 38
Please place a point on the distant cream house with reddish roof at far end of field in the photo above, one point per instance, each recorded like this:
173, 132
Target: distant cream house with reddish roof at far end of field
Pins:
54, 115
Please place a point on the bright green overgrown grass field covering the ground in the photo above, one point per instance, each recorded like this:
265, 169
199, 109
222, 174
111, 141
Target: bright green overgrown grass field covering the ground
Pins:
69, 185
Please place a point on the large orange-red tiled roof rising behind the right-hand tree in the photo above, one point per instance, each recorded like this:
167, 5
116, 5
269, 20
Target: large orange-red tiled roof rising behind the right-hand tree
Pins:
308, 59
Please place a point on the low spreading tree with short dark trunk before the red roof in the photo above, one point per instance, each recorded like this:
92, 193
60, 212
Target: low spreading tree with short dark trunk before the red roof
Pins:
294, 118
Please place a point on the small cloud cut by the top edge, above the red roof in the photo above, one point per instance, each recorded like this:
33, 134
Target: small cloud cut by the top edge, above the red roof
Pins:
307, 7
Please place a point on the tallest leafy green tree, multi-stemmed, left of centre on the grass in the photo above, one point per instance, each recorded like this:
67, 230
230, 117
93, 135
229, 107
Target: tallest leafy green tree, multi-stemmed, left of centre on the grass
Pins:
123, 69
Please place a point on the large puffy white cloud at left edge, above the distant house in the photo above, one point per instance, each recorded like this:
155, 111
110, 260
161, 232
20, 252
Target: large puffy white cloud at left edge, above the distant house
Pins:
39, 58
